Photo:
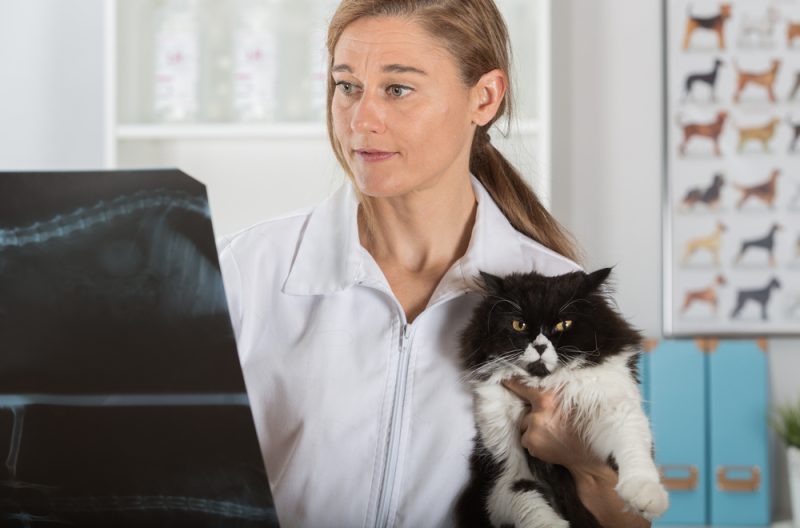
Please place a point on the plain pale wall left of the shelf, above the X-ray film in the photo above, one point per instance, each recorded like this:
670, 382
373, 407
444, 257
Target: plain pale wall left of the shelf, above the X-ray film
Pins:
51, 84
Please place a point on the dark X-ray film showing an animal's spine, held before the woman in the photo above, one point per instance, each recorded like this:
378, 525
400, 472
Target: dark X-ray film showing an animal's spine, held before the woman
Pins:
122, 401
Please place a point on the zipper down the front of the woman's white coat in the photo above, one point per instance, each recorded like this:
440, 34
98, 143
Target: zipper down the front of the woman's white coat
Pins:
395, 428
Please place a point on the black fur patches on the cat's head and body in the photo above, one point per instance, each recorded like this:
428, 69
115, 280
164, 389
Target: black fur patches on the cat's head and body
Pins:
541, 302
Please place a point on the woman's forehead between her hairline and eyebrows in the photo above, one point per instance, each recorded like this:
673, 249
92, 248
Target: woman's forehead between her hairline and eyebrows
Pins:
382, 41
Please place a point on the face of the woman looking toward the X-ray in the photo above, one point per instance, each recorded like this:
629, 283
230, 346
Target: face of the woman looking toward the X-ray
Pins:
402, 115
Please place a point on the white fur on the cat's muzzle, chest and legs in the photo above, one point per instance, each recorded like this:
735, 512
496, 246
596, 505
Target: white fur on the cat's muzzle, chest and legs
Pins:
607, 408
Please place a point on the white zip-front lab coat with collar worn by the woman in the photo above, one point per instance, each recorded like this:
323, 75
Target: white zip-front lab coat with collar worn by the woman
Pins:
363, 420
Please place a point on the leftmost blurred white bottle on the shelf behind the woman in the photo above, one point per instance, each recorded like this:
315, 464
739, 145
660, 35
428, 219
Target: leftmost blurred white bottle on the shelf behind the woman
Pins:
177, 60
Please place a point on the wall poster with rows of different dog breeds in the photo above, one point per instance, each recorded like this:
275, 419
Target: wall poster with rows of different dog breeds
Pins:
732, 206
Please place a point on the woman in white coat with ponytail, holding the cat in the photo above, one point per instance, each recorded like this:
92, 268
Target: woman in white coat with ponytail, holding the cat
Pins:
348, 316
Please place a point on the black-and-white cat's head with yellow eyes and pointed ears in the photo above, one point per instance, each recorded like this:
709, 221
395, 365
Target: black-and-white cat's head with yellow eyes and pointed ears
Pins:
533, 325
